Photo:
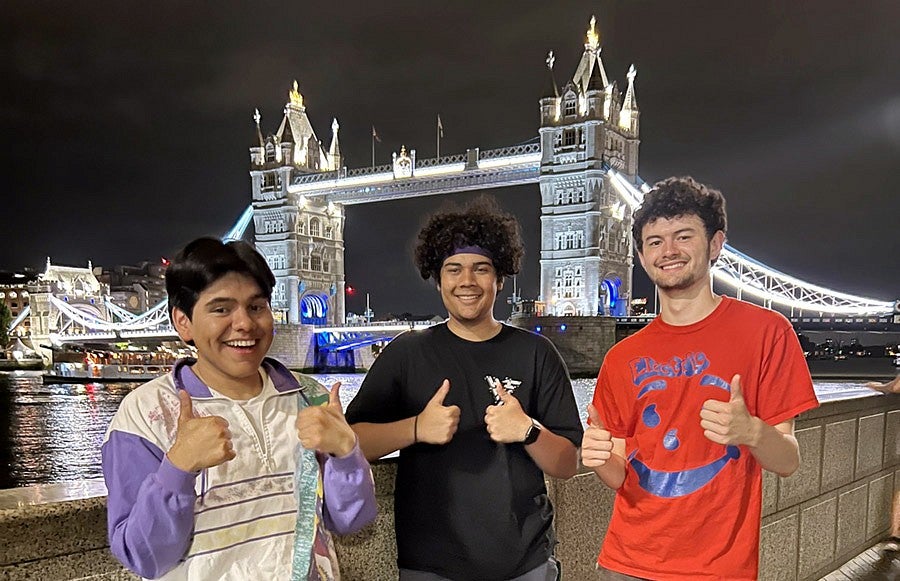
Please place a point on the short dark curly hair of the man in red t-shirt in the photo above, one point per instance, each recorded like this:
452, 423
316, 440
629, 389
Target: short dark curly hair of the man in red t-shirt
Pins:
680, 196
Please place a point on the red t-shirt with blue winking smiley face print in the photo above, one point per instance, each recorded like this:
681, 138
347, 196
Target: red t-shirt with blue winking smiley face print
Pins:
690, 508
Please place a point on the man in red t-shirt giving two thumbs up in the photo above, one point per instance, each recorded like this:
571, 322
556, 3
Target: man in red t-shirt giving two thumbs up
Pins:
690, 410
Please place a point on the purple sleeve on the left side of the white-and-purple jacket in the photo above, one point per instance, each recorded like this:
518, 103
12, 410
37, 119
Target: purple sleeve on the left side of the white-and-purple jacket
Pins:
150, 507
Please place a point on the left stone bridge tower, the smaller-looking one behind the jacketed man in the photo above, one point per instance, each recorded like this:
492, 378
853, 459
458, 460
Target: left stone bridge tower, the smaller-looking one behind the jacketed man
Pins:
302, 240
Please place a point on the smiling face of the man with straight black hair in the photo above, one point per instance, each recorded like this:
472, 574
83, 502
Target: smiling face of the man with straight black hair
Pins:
231, 326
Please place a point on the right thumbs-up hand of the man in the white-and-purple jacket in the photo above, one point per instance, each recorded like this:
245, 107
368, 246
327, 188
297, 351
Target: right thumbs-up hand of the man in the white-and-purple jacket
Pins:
323, 428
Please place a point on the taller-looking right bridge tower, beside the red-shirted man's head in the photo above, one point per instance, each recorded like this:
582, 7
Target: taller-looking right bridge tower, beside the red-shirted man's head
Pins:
586, 128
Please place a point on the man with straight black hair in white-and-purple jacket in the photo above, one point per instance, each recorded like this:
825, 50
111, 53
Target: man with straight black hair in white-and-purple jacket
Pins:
231, 466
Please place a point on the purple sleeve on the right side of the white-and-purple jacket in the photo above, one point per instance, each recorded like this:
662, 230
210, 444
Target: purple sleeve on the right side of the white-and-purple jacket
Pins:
349, 492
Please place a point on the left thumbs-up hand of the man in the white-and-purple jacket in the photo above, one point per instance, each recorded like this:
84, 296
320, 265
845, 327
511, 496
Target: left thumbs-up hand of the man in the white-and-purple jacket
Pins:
199, 442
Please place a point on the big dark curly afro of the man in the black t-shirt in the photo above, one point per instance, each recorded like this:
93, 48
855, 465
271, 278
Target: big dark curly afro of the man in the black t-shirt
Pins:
482, 223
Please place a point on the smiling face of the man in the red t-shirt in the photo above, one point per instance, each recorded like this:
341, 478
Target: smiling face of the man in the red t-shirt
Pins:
676, 253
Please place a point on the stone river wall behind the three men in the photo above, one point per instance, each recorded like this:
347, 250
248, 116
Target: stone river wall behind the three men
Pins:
837, 504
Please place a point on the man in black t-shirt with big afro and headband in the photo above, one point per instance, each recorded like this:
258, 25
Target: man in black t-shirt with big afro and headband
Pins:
479, 411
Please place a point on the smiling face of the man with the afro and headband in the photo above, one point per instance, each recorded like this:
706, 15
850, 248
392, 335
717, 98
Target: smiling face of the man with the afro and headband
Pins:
469, 287
